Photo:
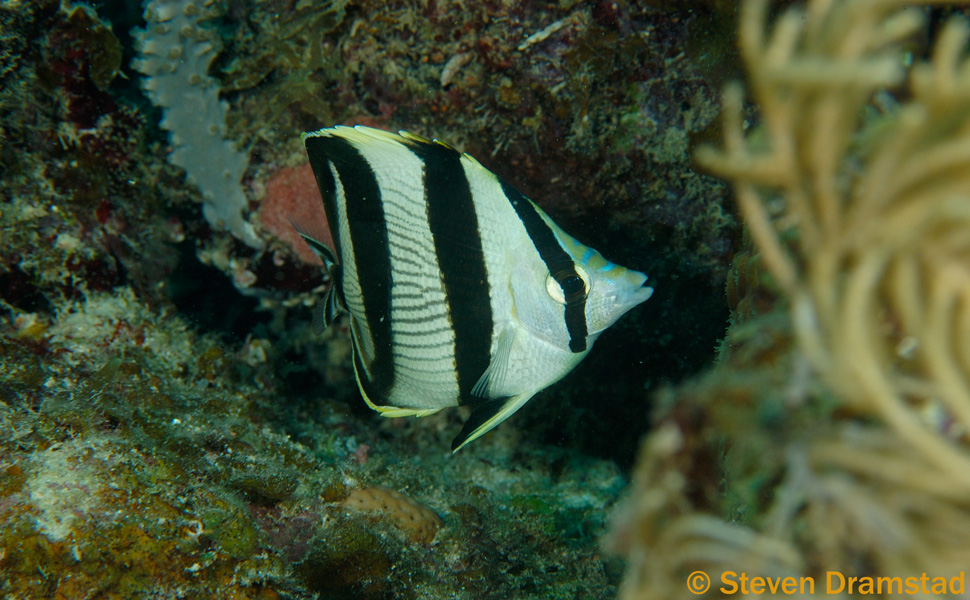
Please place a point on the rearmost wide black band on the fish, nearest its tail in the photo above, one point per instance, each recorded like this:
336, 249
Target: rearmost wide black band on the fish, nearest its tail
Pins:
368, 237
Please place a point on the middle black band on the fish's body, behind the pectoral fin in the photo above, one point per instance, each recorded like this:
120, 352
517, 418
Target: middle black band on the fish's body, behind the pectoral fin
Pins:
458, 245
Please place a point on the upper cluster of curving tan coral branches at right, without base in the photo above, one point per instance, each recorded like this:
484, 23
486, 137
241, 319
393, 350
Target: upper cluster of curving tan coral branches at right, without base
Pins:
879, 272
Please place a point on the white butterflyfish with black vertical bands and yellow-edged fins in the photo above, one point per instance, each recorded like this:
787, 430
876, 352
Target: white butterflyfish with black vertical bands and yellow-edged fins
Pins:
460, 290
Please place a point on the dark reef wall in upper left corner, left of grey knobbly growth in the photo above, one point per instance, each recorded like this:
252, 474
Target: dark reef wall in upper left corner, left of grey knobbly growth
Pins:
79, 206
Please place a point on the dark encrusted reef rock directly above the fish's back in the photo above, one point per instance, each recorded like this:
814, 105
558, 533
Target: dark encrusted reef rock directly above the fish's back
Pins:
589, 107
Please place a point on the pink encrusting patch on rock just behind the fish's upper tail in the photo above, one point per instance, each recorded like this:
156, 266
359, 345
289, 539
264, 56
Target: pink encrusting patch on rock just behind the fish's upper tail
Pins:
292, 195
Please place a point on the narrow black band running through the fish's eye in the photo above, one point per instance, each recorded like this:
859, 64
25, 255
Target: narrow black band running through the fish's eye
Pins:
560, 265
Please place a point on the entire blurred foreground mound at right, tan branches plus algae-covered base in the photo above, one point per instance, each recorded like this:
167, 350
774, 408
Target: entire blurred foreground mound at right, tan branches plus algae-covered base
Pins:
832, 436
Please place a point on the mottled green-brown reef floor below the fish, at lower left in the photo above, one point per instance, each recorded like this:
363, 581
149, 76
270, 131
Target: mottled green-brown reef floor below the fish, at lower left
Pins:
142, 458
